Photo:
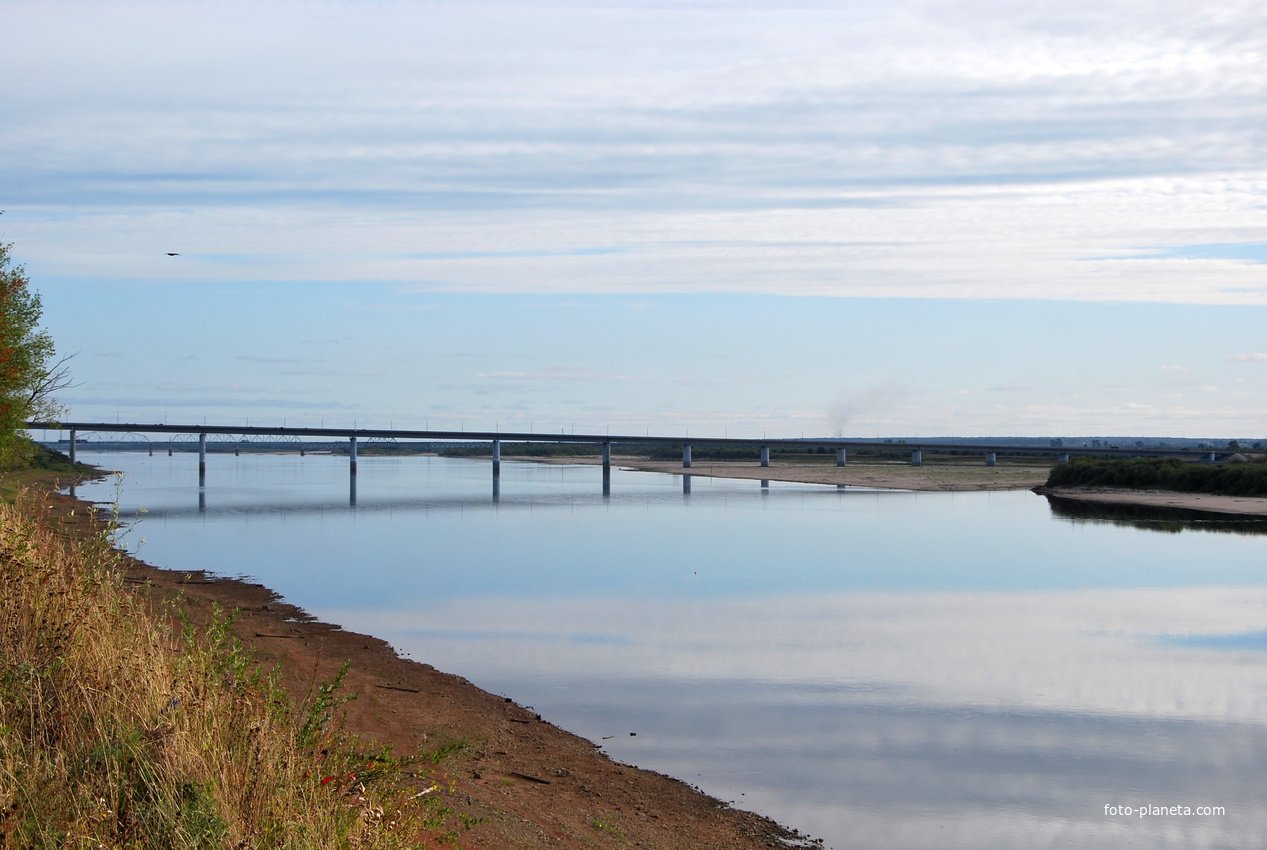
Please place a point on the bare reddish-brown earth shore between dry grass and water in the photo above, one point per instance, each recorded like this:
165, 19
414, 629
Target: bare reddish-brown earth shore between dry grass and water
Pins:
518, 780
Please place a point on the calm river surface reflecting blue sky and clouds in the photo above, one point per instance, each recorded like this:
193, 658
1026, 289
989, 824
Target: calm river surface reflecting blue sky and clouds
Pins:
877, 669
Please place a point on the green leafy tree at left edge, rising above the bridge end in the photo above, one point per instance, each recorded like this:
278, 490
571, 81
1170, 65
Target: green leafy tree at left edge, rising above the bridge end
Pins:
30, 374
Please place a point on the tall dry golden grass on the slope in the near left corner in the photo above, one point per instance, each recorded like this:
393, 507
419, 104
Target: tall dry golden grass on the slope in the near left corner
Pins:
118, 730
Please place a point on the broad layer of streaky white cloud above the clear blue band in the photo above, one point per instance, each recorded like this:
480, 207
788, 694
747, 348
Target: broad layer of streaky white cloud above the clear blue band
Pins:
1035, 155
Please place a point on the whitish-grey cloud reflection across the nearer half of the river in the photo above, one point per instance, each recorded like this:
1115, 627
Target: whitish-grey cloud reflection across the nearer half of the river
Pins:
901, 720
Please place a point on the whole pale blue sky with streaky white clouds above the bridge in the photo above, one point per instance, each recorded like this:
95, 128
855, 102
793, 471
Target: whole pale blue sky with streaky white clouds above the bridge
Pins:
715, 217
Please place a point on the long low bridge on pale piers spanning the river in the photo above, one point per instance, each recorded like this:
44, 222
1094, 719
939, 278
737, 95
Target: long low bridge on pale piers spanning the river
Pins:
761, 447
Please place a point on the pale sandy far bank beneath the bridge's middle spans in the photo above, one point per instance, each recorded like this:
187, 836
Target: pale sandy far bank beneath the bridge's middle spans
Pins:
933, 477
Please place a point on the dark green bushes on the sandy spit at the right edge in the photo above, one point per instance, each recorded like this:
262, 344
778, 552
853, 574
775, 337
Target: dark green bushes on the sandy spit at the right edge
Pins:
1249, 478
